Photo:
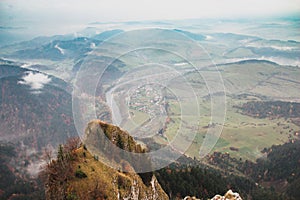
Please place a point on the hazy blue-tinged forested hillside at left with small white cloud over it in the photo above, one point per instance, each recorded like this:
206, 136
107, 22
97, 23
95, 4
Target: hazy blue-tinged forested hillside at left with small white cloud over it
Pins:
35, 108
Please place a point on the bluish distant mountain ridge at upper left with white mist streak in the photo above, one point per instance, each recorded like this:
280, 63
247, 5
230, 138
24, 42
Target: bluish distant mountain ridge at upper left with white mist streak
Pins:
56, 48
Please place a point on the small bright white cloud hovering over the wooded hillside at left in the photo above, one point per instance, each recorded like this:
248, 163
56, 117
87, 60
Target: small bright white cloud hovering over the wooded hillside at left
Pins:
35, 80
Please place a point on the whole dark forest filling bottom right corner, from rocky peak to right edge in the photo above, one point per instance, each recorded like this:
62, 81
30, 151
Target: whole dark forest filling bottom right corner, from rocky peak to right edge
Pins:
272, 177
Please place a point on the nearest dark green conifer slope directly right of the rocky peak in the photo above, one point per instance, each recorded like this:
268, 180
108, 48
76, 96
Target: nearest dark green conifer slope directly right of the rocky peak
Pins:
180, 180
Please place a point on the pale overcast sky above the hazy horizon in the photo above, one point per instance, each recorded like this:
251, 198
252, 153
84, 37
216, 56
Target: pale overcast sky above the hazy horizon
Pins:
13, 11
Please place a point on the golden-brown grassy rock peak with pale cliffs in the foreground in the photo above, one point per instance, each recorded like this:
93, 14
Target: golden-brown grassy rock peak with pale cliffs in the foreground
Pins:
86, 177
